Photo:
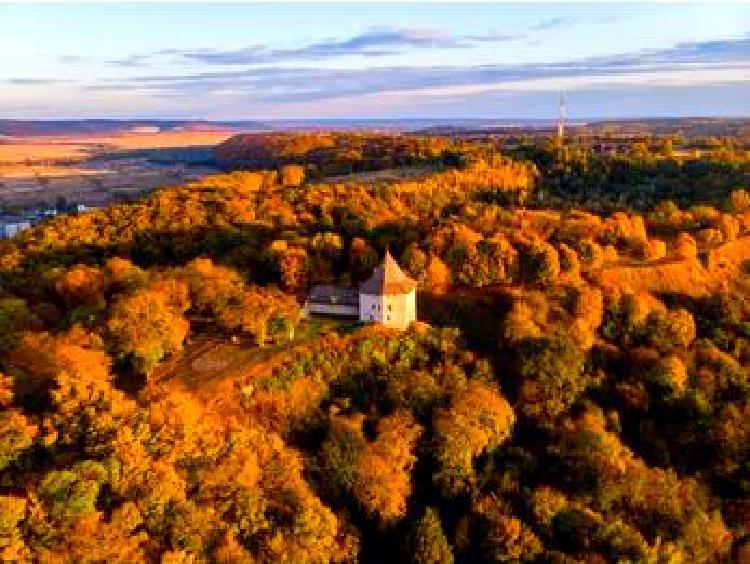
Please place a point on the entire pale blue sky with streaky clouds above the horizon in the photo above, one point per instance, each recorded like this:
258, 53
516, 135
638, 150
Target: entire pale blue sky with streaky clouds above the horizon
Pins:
378, 61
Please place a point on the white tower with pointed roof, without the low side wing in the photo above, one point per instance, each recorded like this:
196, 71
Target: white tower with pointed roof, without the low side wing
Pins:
389, 296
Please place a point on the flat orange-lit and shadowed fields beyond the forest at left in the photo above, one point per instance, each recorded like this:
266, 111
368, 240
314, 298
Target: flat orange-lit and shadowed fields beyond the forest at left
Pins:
96, 169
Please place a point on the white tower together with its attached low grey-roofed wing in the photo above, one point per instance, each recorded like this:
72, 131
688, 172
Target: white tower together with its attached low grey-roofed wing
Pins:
389, 297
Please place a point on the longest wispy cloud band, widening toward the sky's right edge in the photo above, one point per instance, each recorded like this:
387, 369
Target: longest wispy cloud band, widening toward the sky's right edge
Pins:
703, 62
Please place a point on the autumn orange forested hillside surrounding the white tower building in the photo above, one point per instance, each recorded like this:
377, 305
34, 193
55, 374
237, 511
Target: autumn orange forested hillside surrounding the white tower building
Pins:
576, 388
